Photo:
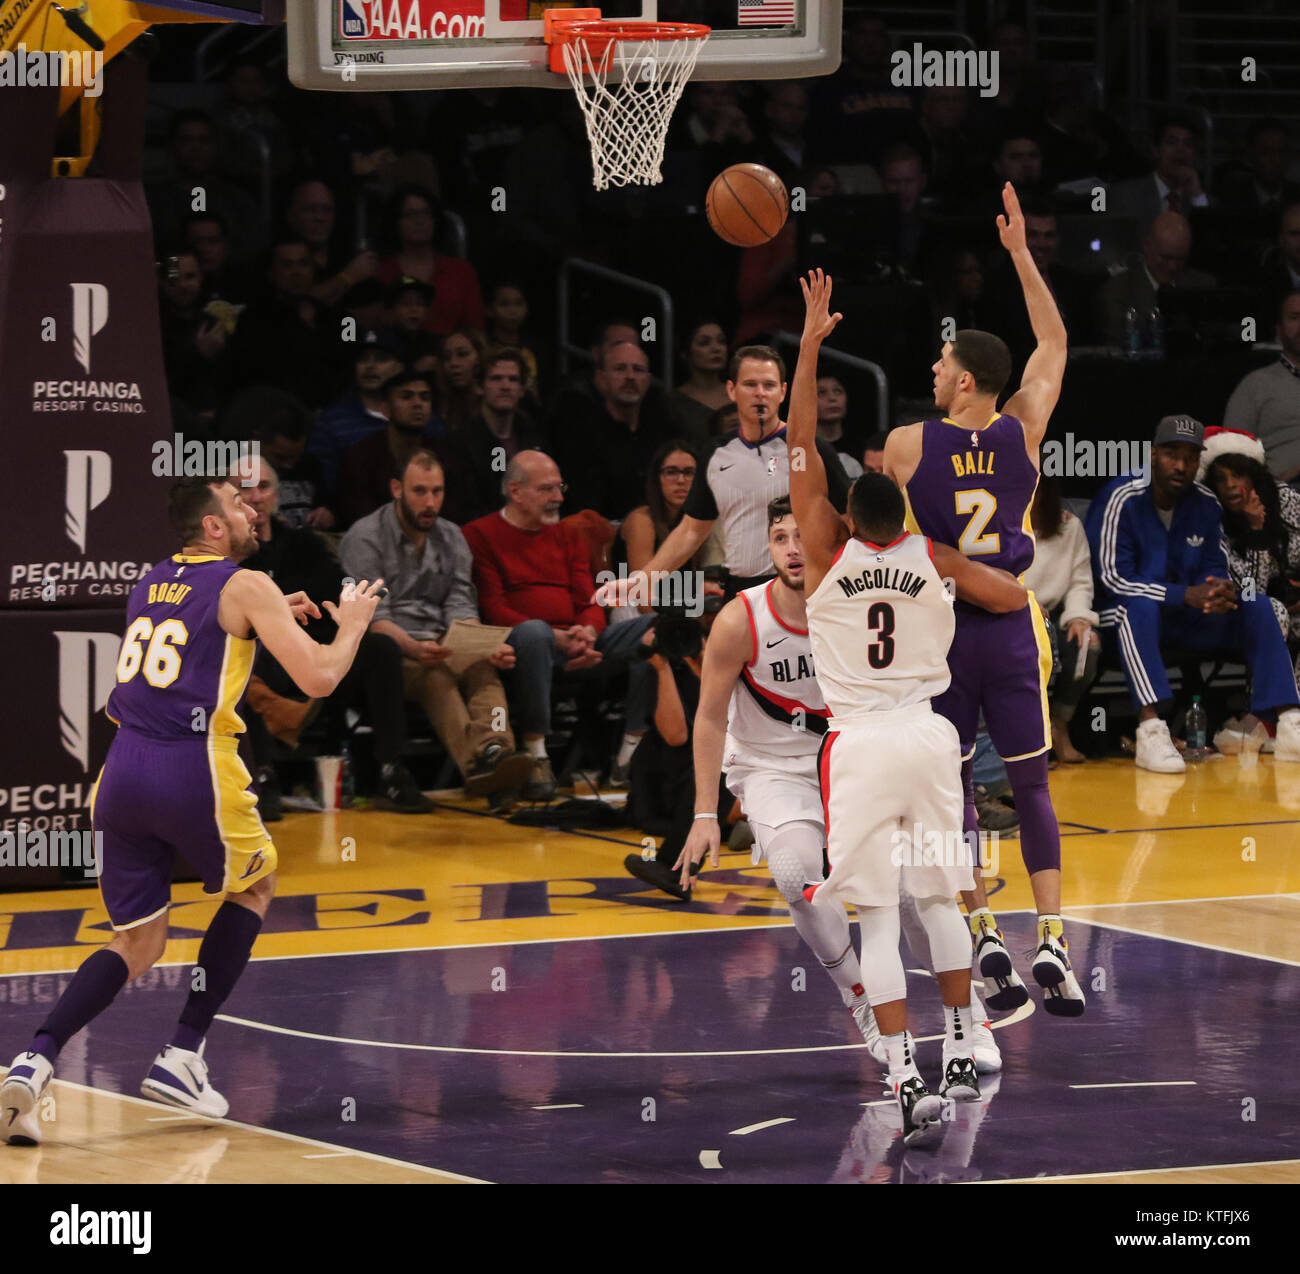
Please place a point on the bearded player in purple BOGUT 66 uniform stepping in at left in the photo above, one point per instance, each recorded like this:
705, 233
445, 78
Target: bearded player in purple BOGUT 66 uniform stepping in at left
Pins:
174, 783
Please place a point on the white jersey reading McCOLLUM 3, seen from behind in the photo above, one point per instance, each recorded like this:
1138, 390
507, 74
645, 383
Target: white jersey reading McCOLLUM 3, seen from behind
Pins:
881, 626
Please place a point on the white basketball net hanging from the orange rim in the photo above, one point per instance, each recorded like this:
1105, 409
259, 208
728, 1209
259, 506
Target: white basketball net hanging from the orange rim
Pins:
627, 122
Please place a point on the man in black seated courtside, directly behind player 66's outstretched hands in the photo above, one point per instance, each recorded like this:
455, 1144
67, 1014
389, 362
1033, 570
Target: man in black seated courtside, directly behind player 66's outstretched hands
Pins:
300, 561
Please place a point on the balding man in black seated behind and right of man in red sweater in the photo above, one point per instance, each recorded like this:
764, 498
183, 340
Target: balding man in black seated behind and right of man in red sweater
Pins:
608, 450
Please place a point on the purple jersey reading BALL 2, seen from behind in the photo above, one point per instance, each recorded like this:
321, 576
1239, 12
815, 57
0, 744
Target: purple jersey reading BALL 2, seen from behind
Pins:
974, 489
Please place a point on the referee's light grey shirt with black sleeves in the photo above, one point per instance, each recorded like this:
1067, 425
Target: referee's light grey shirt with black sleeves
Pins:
736, 487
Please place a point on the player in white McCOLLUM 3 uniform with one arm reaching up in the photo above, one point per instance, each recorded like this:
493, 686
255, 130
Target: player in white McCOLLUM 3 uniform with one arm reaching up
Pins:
881, 619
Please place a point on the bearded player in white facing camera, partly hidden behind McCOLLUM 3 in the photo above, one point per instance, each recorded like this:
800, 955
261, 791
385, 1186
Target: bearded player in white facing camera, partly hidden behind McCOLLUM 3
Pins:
761, 720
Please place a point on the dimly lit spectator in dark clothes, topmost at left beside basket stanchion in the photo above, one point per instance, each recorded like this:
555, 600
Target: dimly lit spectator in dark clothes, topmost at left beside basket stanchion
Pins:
193, 161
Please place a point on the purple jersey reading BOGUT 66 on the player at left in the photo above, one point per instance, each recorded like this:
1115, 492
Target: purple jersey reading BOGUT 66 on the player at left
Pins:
180, 674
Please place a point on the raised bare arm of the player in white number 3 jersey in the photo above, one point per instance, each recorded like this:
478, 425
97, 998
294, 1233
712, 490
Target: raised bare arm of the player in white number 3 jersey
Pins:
822, 530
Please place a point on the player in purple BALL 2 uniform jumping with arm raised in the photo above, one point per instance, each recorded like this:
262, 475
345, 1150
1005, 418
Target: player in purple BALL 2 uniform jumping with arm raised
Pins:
969, 479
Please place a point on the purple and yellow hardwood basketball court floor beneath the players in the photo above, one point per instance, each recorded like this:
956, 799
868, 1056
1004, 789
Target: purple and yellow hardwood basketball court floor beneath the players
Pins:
500, 1004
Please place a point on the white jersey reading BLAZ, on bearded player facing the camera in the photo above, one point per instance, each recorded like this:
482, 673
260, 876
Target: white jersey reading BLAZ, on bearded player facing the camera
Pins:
777, 708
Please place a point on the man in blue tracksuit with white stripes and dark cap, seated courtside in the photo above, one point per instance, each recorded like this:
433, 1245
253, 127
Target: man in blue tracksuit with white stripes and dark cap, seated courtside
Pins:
1162, 580
